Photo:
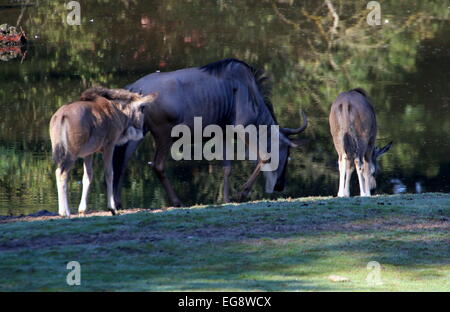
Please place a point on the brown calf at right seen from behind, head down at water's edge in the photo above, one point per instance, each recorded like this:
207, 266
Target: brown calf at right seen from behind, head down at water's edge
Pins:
353, 126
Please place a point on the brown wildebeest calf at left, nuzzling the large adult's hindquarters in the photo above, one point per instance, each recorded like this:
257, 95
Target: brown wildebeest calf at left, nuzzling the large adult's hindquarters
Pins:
101, 119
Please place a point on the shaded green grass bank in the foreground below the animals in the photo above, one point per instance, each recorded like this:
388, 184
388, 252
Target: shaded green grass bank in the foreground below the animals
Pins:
285, 245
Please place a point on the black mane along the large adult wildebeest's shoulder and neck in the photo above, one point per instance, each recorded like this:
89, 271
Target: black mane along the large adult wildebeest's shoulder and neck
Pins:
262, 82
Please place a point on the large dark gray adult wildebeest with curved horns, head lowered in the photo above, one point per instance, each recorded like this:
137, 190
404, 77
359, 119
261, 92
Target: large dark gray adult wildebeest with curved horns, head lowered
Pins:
227, 92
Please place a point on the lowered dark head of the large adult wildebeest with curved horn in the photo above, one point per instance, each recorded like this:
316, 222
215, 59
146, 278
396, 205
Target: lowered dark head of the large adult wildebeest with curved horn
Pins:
276, 180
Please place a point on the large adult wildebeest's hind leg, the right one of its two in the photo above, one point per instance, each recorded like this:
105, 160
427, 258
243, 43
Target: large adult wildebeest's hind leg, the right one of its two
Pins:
162, 149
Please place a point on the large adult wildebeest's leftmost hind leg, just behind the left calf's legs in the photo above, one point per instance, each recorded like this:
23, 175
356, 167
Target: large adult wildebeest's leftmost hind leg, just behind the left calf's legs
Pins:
122, 154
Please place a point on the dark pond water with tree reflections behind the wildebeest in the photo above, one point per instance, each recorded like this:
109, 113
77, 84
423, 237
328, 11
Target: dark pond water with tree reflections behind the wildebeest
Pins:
404, 64
